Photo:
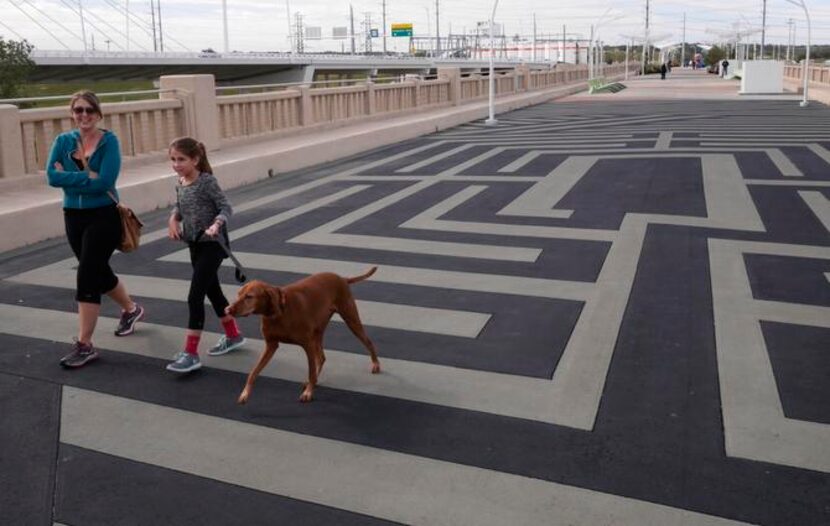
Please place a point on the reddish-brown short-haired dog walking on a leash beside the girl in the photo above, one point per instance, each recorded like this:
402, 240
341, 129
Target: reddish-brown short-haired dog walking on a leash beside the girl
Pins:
299, 313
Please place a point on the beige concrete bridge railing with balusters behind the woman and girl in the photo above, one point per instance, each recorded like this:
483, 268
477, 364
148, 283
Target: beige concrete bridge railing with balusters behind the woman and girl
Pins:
189, 105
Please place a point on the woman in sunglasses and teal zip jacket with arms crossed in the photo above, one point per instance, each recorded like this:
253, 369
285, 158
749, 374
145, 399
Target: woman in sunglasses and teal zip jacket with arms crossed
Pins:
85, 163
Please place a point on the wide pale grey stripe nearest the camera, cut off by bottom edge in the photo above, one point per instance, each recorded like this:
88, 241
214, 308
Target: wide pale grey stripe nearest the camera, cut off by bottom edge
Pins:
362, 479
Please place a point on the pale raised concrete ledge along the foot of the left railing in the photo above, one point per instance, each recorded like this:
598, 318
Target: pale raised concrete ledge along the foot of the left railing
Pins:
147, 185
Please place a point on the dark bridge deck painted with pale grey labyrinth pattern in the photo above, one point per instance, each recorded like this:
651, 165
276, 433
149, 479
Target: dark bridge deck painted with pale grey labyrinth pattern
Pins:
614, 314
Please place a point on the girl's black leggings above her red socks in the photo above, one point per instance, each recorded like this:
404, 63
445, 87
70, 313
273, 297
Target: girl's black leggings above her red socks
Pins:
206, 258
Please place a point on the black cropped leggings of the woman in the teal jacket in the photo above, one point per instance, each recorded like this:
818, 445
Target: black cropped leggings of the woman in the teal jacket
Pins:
93, 234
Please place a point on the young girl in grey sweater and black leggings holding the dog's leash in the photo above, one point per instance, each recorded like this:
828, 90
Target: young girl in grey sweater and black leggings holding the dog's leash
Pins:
199, 217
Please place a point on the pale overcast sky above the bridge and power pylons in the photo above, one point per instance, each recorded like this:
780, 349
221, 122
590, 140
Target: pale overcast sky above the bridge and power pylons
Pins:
259, 25
